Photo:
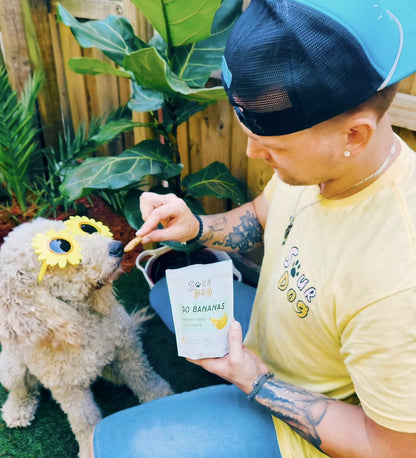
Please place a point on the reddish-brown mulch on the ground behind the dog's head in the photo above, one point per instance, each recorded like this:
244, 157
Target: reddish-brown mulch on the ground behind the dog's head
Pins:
99, 211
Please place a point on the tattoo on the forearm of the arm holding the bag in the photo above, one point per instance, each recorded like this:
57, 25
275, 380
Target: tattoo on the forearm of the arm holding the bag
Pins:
302, 410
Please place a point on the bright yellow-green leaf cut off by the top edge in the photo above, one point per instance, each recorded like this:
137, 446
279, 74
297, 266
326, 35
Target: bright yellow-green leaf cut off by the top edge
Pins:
181, 21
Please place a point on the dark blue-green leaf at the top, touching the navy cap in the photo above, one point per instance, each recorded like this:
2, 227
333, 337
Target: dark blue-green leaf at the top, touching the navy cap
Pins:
194, 63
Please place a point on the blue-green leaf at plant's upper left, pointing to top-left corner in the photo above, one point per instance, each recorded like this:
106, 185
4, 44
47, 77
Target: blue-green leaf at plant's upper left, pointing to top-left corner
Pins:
114, 36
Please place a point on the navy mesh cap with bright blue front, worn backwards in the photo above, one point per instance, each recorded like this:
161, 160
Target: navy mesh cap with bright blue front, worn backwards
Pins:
289, 65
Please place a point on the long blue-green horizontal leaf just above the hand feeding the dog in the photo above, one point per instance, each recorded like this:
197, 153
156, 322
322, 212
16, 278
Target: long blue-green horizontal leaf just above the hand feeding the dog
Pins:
149, 157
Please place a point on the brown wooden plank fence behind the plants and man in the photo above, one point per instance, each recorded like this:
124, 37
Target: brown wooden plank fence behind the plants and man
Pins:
32, 39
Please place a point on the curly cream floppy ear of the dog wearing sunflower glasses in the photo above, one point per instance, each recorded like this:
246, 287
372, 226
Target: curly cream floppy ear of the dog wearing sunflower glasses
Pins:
31, 314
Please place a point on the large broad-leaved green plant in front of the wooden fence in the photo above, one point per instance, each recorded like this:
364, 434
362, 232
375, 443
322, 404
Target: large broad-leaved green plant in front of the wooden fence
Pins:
169, 76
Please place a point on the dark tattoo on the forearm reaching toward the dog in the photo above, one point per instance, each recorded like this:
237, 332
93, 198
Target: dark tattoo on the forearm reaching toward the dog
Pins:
243, 237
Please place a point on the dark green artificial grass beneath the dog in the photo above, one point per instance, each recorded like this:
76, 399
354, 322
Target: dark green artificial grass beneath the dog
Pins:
50, 436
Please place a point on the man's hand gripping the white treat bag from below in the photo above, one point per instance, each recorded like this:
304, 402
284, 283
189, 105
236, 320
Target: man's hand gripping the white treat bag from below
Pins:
240, 367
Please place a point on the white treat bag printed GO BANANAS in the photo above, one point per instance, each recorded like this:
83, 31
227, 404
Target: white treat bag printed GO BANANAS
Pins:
202, 301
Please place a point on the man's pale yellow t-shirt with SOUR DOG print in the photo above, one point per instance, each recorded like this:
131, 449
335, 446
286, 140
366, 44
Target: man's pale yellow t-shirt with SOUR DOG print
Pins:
335, 310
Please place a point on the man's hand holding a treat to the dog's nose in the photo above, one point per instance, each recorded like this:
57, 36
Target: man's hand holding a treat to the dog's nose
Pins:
179, 223
